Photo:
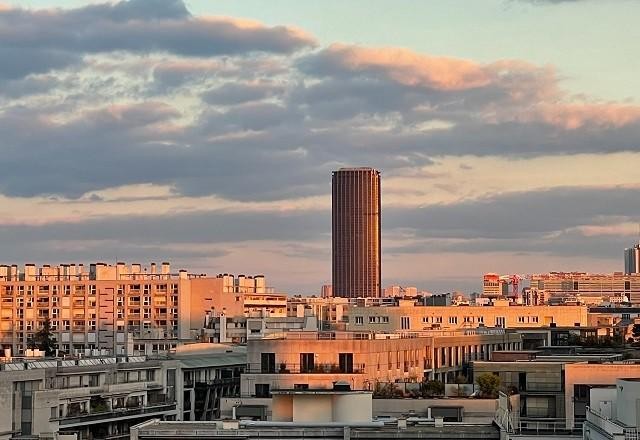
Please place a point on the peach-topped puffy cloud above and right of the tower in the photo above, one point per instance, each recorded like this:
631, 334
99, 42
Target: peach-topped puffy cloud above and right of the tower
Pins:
500, 92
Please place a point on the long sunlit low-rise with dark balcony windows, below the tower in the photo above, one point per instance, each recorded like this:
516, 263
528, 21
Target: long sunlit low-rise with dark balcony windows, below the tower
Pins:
299, 360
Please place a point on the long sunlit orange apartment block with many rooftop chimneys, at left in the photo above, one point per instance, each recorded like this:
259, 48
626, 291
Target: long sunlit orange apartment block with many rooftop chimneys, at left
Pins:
119, 309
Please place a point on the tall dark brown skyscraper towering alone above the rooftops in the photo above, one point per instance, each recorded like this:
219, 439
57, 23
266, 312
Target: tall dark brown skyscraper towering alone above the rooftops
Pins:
356, 232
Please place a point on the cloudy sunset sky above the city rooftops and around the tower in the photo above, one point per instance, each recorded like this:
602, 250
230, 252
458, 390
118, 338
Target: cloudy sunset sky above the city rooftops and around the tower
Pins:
205, 132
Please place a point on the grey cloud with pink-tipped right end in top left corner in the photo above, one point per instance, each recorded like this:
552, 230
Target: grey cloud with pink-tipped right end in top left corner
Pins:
42, 40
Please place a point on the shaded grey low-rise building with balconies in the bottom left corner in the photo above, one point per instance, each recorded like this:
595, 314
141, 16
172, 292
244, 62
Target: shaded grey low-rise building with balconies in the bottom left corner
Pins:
94, 397
